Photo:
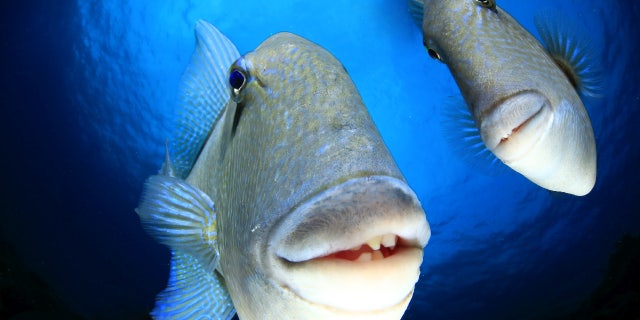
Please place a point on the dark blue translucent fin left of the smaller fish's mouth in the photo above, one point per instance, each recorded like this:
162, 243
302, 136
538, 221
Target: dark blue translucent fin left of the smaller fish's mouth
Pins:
462, 136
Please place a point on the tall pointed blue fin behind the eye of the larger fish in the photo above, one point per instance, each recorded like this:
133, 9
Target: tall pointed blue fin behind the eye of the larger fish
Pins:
204, 91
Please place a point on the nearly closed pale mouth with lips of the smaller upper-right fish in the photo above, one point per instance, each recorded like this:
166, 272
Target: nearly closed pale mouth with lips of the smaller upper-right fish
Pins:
516, 124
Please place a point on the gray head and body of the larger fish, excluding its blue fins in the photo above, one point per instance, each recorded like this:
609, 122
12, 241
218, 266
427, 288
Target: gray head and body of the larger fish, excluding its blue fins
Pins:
315, 220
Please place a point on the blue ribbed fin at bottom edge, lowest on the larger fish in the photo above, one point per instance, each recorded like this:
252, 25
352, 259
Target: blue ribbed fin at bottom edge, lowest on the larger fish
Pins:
192, 292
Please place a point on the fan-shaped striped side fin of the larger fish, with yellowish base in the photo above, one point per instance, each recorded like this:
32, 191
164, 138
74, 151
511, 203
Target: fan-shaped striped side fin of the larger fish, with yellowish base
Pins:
180, 216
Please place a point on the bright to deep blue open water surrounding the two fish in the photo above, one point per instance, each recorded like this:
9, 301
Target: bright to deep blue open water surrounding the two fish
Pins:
88, 97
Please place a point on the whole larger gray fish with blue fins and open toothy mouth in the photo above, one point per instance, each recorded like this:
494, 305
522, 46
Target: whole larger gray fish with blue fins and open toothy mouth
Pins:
280, 199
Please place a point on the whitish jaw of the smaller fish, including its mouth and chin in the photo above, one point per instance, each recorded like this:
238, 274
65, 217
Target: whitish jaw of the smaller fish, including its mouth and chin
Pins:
553, 146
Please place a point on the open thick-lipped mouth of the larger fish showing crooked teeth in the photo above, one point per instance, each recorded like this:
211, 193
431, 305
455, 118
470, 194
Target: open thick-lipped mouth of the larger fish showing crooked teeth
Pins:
355, 247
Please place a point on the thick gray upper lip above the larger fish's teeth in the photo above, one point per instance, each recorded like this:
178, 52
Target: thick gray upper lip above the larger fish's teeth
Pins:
300, 218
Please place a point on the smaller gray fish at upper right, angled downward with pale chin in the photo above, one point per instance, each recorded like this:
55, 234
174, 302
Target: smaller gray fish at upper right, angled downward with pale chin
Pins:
524, 97
